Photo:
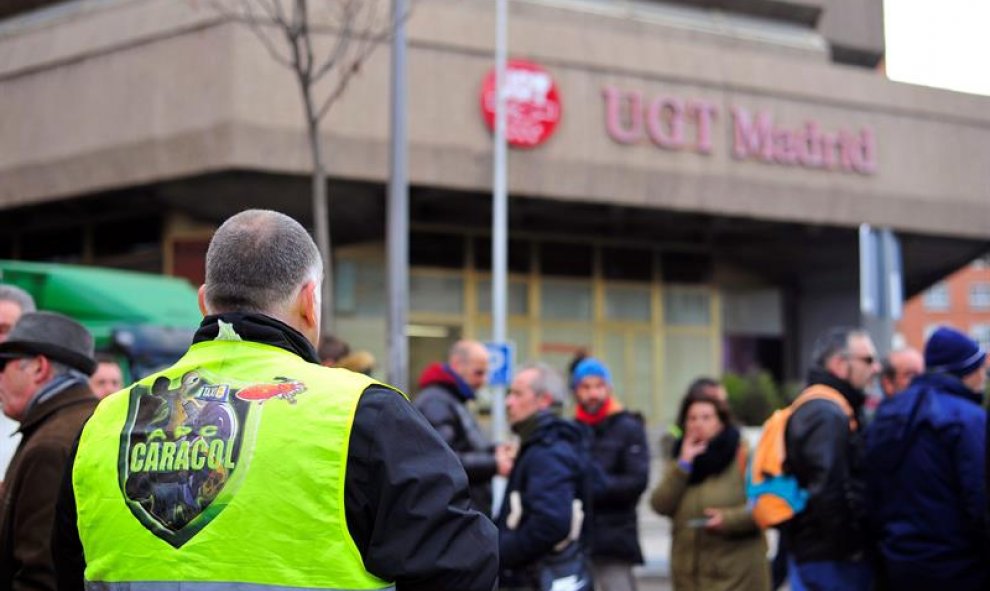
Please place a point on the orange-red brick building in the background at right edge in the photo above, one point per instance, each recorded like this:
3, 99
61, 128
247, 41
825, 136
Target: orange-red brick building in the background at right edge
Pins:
961, 300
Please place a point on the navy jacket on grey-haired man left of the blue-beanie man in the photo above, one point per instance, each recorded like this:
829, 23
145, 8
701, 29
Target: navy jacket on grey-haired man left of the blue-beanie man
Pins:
550, 472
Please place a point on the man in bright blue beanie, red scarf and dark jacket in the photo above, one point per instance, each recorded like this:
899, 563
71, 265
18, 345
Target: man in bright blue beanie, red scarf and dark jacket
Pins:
622, 456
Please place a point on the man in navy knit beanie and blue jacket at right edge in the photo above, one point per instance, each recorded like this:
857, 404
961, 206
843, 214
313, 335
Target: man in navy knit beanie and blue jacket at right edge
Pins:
925, 455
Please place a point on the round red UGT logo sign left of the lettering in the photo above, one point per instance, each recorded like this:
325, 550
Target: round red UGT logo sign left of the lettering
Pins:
531, 101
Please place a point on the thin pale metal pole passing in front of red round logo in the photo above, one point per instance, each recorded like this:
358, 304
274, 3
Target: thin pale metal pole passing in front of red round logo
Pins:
500, 229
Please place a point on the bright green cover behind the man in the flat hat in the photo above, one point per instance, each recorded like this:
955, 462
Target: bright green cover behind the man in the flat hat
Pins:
102, 299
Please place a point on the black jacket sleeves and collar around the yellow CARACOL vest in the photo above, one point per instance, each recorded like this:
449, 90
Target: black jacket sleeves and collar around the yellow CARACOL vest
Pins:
405, 494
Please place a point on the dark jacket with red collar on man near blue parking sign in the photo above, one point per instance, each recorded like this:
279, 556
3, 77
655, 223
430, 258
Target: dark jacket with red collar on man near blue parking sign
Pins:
444, 407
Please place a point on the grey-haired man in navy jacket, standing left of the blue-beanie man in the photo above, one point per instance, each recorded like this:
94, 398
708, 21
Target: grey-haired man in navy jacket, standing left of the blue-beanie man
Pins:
541, 519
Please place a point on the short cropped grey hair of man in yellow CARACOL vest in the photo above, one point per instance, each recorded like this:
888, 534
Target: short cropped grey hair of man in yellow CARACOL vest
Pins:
257, 260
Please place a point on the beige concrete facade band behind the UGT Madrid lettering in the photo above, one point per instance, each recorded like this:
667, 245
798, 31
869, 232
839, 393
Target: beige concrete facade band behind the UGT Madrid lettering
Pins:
124, 93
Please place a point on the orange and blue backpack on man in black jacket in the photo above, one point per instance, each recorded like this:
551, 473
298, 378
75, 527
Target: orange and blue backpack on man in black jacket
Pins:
774, 496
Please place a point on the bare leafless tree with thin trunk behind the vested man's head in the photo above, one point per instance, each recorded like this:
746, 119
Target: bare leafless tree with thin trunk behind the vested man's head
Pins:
287, 29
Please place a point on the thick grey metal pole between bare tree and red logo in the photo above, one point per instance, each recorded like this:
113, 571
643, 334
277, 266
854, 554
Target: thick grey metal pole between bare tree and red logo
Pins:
398, 208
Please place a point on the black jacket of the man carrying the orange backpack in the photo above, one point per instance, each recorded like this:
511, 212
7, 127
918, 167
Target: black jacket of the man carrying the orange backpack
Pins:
826, 457
